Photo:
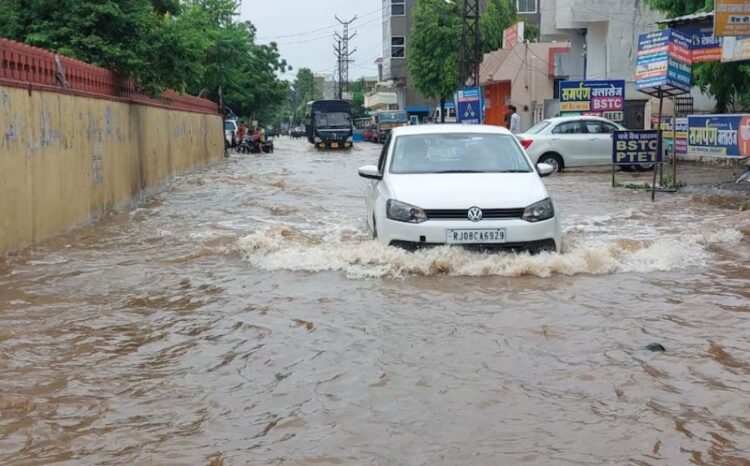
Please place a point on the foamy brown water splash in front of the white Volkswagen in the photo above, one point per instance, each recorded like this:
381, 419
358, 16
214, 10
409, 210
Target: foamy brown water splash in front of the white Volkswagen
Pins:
285, 248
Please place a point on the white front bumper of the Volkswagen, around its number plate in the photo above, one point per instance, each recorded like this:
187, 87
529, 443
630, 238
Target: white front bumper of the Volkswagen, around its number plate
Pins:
519, 234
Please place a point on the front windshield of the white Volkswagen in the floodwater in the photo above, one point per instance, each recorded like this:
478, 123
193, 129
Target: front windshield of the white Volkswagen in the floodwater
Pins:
458, 153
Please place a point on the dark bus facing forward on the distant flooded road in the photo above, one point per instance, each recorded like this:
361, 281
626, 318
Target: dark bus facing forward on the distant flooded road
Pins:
329, 124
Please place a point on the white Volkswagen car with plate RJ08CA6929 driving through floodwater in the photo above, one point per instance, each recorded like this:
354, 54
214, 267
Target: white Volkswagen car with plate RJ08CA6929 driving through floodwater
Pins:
459, 184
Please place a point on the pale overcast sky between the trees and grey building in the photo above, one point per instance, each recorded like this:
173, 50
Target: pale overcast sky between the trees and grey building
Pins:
304, 31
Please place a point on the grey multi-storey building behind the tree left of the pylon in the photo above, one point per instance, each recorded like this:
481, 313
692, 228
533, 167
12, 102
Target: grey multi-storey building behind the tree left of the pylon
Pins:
397, 27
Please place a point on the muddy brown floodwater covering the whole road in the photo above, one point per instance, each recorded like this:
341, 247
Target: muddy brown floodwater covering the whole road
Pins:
242, 316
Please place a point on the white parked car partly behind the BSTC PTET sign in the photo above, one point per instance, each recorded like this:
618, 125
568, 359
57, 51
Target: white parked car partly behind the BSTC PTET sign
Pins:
568, 142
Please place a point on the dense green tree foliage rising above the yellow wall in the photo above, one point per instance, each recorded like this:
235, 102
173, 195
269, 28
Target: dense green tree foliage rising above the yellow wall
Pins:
194, 46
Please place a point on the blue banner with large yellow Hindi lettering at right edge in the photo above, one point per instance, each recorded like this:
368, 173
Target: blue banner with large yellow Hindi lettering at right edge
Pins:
719, 135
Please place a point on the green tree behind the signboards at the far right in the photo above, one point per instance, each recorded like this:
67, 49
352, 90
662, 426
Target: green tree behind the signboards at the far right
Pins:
728, 83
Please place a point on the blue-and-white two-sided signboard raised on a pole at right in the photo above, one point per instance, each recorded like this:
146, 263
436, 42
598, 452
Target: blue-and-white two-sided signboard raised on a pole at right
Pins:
664, 60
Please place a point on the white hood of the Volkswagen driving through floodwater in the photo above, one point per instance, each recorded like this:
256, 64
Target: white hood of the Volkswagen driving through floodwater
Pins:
465, 190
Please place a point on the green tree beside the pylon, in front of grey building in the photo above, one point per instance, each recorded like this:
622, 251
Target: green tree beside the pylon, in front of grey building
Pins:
432, 55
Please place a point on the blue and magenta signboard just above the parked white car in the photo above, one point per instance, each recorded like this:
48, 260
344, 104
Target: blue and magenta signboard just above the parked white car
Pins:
598, 98
